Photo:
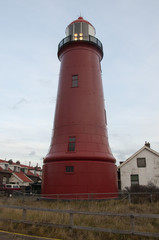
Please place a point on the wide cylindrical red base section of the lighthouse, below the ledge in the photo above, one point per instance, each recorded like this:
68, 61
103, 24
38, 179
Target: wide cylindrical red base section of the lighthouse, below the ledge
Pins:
87, 180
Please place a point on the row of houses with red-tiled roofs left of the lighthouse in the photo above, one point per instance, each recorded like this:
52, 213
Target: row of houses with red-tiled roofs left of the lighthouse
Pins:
19, 174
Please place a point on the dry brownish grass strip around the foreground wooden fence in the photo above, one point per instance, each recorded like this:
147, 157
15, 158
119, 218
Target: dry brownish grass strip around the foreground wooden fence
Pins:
114, 206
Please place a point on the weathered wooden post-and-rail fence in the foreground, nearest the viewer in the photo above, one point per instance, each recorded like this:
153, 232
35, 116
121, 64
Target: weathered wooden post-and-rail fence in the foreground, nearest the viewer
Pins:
72, 225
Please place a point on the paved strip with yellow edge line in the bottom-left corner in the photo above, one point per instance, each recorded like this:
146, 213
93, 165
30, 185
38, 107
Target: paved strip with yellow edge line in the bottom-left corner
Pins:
16, 236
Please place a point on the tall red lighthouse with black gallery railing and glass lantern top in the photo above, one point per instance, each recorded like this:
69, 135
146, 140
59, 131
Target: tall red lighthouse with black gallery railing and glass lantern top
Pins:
79, 162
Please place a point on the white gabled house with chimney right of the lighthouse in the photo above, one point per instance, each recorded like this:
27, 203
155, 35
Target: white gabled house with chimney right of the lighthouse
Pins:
141, 168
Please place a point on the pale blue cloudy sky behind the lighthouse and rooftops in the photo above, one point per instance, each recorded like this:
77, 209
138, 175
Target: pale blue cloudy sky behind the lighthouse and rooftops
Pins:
30, 31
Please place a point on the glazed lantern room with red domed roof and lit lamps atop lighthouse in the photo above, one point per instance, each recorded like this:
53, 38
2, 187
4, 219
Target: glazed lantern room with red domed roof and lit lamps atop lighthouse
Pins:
80, 29
